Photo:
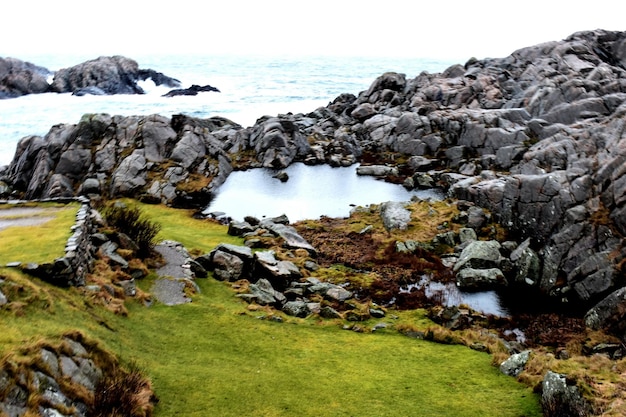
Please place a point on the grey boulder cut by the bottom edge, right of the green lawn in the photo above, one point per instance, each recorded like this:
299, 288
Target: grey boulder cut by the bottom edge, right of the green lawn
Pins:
559, 398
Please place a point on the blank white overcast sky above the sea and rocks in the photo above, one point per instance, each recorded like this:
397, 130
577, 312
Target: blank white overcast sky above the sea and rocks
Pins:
431, 29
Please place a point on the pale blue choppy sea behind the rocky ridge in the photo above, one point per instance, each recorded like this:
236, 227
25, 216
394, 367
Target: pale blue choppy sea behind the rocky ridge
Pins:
250, 87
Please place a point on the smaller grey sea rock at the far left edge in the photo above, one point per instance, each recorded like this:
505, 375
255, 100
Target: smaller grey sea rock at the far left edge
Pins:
18, 78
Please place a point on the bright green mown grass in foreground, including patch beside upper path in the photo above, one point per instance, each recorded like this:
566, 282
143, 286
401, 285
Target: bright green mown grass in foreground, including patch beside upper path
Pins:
215, 357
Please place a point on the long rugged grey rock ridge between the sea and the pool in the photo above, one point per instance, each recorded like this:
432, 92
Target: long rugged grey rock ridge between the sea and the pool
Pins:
534, 138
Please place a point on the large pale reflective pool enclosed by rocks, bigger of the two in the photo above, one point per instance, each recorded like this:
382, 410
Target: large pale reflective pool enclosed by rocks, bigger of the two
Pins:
310, 192
